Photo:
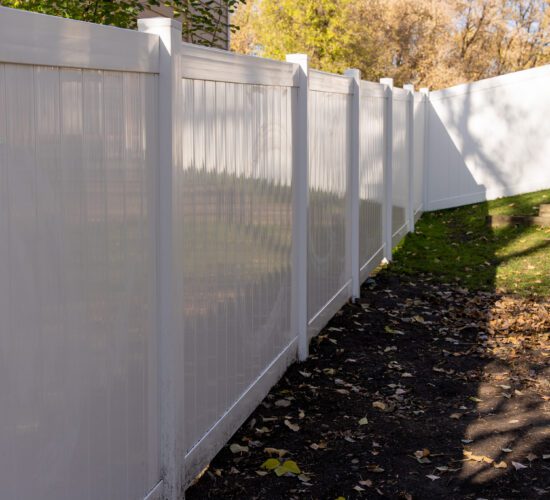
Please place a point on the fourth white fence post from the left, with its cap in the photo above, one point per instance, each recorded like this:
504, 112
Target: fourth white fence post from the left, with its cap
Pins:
388, 167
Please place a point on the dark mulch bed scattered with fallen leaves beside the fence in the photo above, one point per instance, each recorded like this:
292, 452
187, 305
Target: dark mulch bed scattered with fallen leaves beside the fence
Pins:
420, 390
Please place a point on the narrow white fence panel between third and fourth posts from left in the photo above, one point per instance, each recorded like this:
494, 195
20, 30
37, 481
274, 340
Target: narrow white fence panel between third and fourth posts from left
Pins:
371, 176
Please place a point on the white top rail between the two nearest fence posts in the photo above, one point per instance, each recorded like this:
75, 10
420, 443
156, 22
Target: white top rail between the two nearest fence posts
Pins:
205, 63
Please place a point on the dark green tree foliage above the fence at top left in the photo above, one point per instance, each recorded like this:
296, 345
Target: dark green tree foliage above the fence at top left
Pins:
203, 21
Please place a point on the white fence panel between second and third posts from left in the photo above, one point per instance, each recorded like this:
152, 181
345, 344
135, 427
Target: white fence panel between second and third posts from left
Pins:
329, 267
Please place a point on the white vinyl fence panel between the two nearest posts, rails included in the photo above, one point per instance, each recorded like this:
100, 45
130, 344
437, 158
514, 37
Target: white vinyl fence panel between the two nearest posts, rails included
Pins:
232, 237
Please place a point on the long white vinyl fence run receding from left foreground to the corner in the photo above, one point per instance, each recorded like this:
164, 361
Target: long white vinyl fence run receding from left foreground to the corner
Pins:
176, 223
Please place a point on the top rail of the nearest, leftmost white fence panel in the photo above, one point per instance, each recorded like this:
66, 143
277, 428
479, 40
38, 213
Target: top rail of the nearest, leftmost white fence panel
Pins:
38, 39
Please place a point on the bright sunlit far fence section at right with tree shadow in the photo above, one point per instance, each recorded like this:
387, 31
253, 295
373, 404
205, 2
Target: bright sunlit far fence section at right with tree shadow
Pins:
489, 139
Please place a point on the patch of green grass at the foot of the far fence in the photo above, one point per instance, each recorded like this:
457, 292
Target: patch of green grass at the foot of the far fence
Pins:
457, 245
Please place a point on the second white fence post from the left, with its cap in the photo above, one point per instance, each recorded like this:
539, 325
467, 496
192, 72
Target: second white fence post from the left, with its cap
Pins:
300, 195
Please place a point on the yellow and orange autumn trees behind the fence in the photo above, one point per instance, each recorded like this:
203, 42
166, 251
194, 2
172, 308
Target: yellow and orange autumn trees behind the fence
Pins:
435, 43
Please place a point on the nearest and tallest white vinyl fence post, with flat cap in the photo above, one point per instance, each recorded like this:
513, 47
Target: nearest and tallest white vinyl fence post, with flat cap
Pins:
170, 341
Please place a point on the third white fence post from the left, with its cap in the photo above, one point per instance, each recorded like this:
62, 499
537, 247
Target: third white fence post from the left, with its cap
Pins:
353, 181
